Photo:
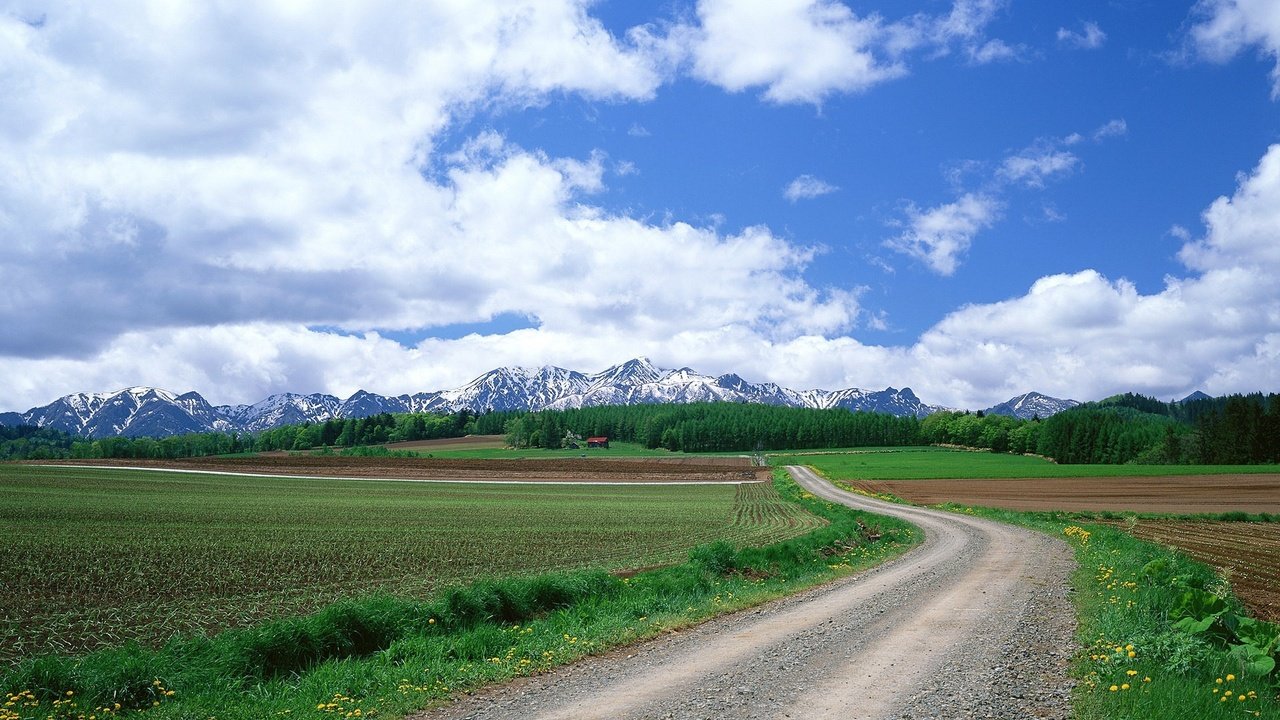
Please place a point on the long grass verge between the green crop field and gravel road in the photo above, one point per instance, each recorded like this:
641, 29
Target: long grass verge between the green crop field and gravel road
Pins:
383, 657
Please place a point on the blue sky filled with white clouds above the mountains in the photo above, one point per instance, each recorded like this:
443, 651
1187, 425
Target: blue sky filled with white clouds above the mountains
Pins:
970, 198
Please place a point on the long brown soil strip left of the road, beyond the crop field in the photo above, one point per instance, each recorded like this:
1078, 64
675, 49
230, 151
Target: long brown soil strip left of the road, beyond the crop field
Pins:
615, 471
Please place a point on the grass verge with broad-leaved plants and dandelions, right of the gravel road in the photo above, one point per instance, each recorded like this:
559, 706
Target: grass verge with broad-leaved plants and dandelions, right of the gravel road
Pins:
1140, 659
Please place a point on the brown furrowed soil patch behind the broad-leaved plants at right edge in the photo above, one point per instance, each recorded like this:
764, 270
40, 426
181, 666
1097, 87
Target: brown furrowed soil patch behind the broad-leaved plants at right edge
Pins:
1246, 554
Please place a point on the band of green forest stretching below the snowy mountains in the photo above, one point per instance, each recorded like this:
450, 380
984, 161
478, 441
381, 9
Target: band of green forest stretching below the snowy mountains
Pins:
1126, 429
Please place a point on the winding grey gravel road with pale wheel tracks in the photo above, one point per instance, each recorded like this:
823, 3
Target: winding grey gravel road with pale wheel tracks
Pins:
975, 623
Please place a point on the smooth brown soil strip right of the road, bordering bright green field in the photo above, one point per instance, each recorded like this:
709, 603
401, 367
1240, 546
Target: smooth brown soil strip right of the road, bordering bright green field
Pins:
1174, 494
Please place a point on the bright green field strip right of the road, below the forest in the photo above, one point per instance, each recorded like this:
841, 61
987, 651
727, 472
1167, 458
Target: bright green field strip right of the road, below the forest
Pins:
939, 463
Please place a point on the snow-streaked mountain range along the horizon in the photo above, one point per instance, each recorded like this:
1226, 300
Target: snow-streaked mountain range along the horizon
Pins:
145, 412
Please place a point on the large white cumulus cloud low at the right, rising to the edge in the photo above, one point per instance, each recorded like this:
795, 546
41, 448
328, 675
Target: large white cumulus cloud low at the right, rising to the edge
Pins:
1087, 336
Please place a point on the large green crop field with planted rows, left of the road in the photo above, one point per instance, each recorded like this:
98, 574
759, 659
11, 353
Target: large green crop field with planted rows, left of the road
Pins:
98, 558
